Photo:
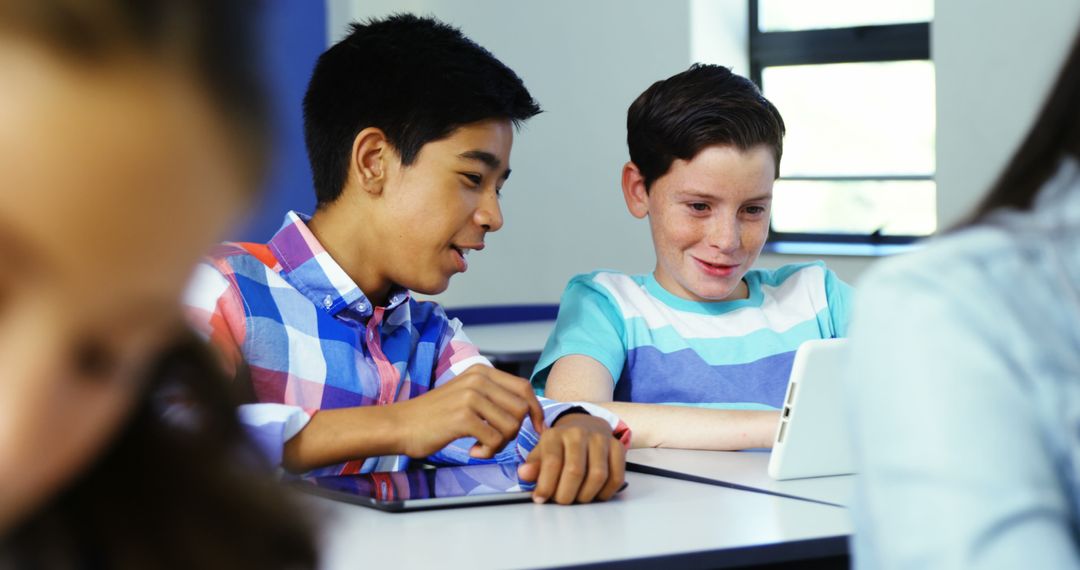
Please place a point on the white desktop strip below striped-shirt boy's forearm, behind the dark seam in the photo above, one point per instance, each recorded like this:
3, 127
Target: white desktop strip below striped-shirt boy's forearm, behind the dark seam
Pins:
747, 469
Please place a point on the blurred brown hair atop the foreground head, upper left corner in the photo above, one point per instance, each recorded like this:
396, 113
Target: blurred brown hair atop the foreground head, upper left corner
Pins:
213, 43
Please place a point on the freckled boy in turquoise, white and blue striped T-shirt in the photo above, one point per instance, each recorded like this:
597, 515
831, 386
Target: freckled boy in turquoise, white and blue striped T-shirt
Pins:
698, 354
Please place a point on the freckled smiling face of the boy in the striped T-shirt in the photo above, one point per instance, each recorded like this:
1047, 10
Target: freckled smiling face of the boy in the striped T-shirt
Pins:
710, 219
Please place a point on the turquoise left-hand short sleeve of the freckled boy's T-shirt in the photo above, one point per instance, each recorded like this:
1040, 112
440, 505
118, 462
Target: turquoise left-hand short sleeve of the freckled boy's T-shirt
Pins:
590, 324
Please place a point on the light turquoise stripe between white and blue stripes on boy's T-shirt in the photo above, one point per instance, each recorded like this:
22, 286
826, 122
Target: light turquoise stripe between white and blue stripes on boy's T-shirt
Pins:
732, 350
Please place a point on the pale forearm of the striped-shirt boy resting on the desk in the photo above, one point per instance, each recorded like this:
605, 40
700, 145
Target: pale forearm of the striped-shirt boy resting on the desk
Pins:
687, 428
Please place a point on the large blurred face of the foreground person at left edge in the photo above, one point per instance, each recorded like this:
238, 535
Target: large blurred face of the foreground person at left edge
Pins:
115, 181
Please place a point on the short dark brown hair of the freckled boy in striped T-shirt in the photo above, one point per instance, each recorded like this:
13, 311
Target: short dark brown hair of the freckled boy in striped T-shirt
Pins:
706, 105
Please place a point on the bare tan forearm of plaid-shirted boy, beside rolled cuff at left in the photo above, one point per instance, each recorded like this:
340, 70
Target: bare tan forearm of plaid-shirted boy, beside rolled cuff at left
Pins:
340, 436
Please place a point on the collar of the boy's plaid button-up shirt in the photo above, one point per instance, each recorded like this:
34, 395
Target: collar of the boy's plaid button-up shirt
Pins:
308, 267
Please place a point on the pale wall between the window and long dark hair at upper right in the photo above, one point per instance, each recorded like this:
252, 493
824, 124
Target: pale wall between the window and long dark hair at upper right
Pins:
995, 62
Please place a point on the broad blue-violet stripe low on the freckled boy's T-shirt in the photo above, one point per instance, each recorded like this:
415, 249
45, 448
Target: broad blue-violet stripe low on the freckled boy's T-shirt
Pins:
654, 376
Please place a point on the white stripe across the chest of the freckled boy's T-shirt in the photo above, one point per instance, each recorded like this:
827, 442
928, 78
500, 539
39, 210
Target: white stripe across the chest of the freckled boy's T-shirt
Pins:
796, 301
